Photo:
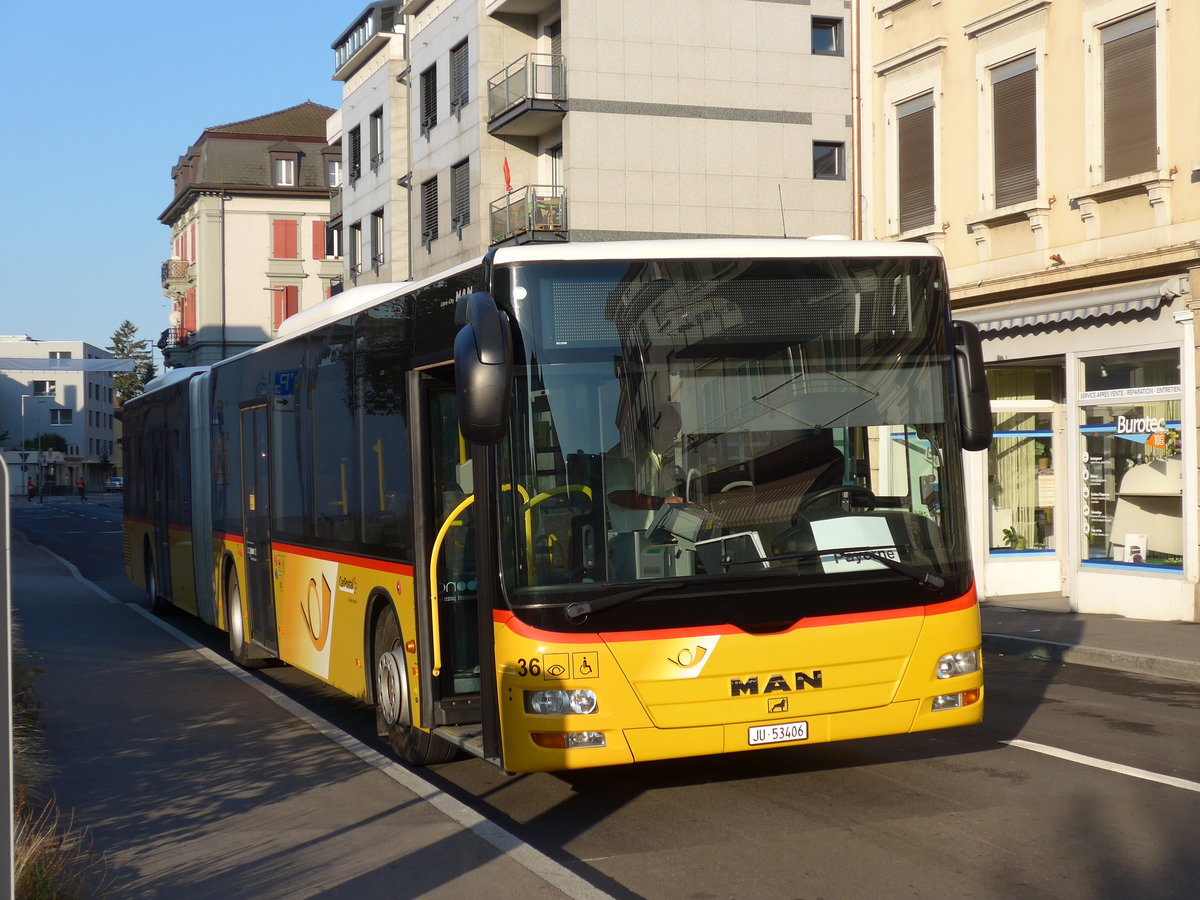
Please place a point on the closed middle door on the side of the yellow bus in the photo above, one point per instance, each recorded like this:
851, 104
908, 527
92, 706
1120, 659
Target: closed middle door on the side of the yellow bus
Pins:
256, 525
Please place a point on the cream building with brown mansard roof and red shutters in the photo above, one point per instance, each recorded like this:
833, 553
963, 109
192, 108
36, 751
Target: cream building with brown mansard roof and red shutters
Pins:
249, 233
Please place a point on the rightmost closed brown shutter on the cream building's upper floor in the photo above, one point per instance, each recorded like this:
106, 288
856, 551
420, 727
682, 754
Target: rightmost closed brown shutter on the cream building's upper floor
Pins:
1131, 140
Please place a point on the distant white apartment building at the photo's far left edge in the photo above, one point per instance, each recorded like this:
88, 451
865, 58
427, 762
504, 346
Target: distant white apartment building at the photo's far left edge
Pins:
63, 389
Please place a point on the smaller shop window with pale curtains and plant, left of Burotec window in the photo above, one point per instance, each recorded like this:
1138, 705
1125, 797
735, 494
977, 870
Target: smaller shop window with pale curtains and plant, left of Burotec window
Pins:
1022, 483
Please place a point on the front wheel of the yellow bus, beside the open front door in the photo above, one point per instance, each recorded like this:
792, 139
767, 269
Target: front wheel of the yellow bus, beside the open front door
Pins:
394, 711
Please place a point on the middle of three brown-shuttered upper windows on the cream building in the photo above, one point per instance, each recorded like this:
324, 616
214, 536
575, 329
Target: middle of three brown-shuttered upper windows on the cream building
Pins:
1016, 131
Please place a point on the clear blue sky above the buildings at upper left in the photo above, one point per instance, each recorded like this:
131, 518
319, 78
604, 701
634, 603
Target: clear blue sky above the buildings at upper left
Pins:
100, 103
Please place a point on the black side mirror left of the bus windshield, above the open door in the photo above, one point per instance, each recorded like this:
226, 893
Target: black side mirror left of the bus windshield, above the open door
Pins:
483, 362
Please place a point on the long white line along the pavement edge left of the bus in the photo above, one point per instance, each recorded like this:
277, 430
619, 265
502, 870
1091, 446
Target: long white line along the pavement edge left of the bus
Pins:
523, 854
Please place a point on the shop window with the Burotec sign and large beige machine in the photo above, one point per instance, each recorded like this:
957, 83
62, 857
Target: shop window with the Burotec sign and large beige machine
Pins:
1131, 431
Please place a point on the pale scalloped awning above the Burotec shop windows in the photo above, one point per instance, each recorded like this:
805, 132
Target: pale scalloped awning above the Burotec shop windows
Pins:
1077, 305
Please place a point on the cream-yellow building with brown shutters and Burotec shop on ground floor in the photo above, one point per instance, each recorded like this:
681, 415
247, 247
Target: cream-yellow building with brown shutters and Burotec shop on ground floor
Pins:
1052, 149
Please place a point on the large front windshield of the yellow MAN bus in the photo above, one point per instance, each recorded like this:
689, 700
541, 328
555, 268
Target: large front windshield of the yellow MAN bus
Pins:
701, 423
